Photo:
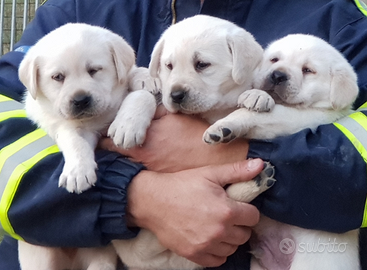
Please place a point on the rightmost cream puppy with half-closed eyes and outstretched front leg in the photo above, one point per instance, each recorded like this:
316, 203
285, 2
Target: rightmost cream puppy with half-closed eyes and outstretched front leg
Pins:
312, 84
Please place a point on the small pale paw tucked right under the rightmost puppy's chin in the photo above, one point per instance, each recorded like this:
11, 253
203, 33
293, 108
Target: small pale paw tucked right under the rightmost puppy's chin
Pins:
256, 100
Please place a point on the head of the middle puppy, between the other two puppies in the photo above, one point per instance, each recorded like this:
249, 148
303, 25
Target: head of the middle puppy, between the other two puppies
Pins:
204, 63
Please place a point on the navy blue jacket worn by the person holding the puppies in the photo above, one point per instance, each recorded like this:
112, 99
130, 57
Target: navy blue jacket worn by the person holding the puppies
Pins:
322, 181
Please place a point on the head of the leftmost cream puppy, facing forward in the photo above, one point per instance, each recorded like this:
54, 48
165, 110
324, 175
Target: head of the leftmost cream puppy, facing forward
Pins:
78, 69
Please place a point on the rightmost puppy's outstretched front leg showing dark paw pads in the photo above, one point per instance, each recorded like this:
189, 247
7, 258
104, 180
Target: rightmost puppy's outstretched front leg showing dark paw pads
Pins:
281, 121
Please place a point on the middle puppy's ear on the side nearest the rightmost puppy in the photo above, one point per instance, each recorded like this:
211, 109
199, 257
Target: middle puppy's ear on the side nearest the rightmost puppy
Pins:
246, 53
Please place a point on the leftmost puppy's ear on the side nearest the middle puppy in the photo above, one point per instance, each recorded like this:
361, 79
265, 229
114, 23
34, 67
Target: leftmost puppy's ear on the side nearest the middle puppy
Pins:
123, 56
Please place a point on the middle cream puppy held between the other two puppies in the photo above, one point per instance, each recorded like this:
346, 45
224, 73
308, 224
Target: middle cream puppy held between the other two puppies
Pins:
204, 64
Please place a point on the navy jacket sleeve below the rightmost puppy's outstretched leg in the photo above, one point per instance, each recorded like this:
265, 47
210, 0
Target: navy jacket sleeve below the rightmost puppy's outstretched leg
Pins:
321, 180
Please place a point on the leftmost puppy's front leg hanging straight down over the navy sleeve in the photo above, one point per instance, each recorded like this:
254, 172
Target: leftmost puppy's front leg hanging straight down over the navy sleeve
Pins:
77, 147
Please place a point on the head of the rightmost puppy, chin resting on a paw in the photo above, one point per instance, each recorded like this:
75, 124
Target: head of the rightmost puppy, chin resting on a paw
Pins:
307, 71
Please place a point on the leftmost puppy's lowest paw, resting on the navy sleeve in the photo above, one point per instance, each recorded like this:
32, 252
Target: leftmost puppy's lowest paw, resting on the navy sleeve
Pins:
78, 176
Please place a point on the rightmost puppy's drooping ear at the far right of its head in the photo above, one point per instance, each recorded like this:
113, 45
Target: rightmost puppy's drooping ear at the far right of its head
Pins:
344, 87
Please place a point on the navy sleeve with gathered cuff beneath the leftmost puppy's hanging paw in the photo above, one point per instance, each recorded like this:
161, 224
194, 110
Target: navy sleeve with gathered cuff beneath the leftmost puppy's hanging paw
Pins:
42, 213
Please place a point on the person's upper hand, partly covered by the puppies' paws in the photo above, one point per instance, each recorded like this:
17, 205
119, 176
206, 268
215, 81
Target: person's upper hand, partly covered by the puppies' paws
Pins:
174, 143
